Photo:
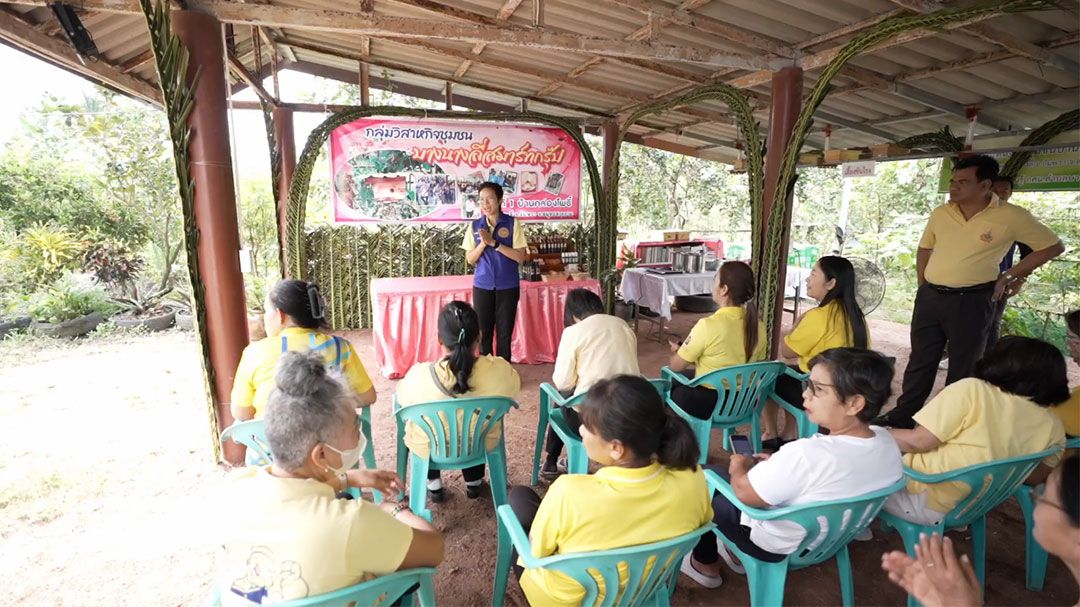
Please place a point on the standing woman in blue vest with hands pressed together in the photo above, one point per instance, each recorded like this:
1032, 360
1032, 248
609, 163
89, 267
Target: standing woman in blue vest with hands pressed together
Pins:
496, 245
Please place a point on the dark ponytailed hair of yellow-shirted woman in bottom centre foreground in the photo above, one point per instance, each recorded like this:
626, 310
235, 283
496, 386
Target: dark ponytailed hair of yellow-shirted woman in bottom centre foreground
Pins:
628, 409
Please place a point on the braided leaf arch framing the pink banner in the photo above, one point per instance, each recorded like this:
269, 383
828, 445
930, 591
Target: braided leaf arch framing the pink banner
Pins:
296, 249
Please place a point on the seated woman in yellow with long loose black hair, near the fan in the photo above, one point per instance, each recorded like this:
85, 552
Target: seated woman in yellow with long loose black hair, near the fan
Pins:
838, 322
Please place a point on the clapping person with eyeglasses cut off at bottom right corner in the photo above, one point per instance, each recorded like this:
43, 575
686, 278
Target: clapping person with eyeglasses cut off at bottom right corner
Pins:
937, 578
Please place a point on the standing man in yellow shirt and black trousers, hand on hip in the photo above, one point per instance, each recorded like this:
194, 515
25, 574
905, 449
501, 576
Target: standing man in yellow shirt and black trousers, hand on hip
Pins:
960, 279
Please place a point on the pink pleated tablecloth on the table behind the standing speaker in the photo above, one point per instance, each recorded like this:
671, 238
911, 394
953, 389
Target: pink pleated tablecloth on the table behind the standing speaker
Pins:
406, 319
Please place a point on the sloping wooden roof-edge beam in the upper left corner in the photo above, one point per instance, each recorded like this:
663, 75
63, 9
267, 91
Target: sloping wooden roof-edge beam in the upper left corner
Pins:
18, 32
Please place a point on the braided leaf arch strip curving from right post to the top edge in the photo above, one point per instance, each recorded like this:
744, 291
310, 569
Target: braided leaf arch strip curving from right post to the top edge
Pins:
786, 185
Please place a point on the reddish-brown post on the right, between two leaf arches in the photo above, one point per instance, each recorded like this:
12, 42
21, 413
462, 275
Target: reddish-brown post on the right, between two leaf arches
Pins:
787, 102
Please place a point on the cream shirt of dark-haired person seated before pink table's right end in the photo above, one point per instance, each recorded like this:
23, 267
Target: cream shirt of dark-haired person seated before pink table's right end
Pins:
597, 348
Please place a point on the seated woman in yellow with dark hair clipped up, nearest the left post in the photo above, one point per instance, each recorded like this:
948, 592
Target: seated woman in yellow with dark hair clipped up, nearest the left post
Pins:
294, 317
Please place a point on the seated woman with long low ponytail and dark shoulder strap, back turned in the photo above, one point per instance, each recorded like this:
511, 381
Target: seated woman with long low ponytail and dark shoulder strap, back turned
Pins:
461, 373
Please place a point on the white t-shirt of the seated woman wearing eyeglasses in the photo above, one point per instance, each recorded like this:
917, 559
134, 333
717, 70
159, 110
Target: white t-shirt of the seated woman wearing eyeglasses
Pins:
822, 468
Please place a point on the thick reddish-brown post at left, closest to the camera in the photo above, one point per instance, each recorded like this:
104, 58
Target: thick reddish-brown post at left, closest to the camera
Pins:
215, 210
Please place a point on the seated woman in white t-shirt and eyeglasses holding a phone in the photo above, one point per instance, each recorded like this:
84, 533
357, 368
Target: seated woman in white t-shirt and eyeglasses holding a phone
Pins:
847, 389
